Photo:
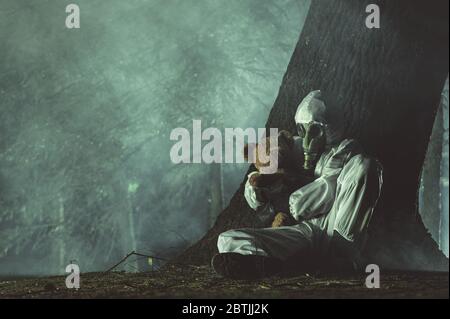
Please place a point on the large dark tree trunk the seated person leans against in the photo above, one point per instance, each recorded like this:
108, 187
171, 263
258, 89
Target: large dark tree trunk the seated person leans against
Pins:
387, 82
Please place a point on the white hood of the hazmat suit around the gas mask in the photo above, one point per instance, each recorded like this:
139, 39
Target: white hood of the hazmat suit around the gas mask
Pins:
313, 109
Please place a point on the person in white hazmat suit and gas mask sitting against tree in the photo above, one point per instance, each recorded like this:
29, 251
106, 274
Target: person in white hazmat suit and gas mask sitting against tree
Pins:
331, 214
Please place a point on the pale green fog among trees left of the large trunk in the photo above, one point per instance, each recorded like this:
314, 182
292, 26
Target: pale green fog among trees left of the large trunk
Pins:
85, 173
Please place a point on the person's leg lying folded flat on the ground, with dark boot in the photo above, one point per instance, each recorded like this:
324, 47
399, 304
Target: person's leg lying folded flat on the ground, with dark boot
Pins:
254, 253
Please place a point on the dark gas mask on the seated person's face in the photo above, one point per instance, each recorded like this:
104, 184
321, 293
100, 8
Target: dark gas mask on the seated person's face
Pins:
314, 140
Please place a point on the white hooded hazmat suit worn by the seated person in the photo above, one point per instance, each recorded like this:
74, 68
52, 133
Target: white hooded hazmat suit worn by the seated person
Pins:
339, 202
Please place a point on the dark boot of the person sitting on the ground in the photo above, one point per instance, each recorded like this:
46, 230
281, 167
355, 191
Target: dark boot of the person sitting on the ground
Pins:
238, 266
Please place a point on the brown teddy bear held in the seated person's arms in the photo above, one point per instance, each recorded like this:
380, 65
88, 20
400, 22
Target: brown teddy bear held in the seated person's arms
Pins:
276, 188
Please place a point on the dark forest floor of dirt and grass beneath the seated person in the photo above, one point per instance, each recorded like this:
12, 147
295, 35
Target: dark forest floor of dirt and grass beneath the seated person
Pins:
201, 282
